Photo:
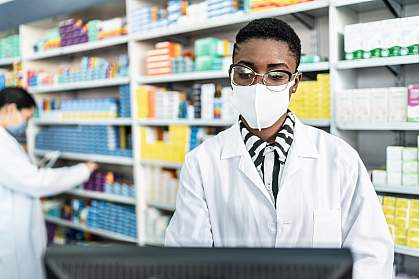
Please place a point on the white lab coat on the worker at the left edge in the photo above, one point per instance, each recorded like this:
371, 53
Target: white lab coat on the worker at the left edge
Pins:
22, 227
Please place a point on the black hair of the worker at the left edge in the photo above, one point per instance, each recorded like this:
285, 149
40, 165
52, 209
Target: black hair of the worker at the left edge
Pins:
18, 96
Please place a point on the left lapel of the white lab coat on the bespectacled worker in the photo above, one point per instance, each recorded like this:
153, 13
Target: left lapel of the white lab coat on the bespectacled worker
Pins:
234, 146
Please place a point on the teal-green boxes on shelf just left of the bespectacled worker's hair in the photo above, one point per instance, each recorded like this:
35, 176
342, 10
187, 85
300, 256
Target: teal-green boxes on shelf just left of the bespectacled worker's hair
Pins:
212, 54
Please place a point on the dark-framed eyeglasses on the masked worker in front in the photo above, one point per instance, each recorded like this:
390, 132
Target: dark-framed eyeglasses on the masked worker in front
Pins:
276, 80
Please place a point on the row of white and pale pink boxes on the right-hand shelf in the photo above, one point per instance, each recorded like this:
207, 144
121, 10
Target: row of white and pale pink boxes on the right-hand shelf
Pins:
375, 105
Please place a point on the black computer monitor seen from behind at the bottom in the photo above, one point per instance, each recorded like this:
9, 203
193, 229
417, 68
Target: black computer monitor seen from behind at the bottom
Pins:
132, 262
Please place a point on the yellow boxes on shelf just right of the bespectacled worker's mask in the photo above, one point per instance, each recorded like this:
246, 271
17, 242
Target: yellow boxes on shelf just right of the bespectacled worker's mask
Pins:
312, 100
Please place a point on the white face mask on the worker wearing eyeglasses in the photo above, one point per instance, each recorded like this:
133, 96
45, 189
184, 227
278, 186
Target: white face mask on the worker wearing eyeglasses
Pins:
259, 106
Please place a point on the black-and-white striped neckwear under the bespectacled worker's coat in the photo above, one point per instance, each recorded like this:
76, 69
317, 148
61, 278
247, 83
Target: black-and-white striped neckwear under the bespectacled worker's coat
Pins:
282, 145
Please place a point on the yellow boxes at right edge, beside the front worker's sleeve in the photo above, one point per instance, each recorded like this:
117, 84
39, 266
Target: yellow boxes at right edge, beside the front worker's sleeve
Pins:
402, 216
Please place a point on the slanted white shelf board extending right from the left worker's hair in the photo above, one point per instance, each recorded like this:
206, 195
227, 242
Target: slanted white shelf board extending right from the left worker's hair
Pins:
78, 85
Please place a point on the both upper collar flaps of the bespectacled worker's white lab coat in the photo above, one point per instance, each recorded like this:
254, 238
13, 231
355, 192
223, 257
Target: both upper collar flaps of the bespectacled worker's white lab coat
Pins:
303, 145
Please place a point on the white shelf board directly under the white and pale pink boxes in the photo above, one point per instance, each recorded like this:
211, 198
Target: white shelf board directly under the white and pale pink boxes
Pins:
401, 126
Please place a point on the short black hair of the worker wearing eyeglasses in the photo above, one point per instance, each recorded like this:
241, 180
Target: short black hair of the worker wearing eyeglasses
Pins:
270, 28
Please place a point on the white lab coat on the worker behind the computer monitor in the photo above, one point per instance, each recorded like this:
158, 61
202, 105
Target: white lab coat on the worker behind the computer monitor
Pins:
325, 199
